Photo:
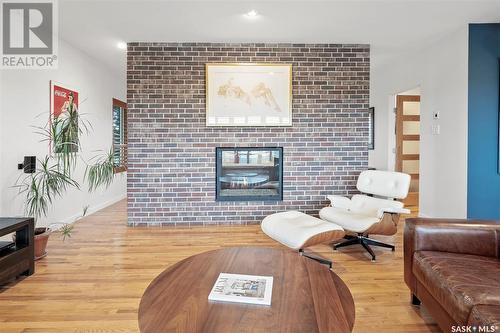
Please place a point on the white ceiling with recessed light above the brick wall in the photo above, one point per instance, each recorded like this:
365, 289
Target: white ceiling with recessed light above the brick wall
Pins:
392, 27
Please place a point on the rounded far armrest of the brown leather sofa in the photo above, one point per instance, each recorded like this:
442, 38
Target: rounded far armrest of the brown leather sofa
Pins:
449, 235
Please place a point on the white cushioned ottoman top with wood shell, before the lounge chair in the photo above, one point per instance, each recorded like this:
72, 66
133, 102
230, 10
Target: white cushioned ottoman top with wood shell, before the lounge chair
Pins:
298, 230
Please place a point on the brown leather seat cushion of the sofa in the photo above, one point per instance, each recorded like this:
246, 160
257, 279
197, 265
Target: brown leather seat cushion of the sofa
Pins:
459, 281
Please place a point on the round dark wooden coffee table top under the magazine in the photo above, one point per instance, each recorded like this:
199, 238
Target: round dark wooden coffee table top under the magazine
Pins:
307, 296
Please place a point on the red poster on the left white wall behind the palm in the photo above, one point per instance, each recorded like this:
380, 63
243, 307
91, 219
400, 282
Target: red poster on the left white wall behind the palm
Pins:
64, 103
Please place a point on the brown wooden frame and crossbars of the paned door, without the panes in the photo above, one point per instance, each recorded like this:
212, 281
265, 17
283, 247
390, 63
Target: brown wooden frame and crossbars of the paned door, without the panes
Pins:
400, 99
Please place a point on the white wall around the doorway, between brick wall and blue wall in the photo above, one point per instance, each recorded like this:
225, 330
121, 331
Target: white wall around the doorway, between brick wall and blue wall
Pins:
441, 72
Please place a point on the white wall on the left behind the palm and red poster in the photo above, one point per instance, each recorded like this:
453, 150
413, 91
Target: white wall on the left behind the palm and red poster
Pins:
25, 103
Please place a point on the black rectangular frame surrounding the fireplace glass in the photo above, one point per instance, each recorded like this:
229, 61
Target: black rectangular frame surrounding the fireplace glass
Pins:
218, 174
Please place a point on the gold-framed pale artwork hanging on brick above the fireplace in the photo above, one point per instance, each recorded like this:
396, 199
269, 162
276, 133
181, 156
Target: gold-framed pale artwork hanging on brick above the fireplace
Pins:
248, 95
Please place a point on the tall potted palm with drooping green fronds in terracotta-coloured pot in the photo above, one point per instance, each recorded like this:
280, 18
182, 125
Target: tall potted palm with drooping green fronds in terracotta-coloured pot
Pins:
53, 176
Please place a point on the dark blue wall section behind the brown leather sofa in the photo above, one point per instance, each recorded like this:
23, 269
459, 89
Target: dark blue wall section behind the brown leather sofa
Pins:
483, 179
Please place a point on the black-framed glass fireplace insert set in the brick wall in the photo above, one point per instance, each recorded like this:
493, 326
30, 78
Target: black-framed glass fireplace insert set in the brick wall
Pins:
249, 174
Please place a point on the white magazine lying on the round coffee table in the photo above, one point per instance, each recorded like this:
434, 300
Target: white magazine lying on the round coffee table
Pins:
238, 288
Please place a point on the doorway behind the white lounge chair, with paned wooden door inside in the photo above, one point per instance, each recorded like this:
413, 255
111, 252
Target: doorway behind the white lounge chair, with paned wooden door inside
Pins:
408, 142
